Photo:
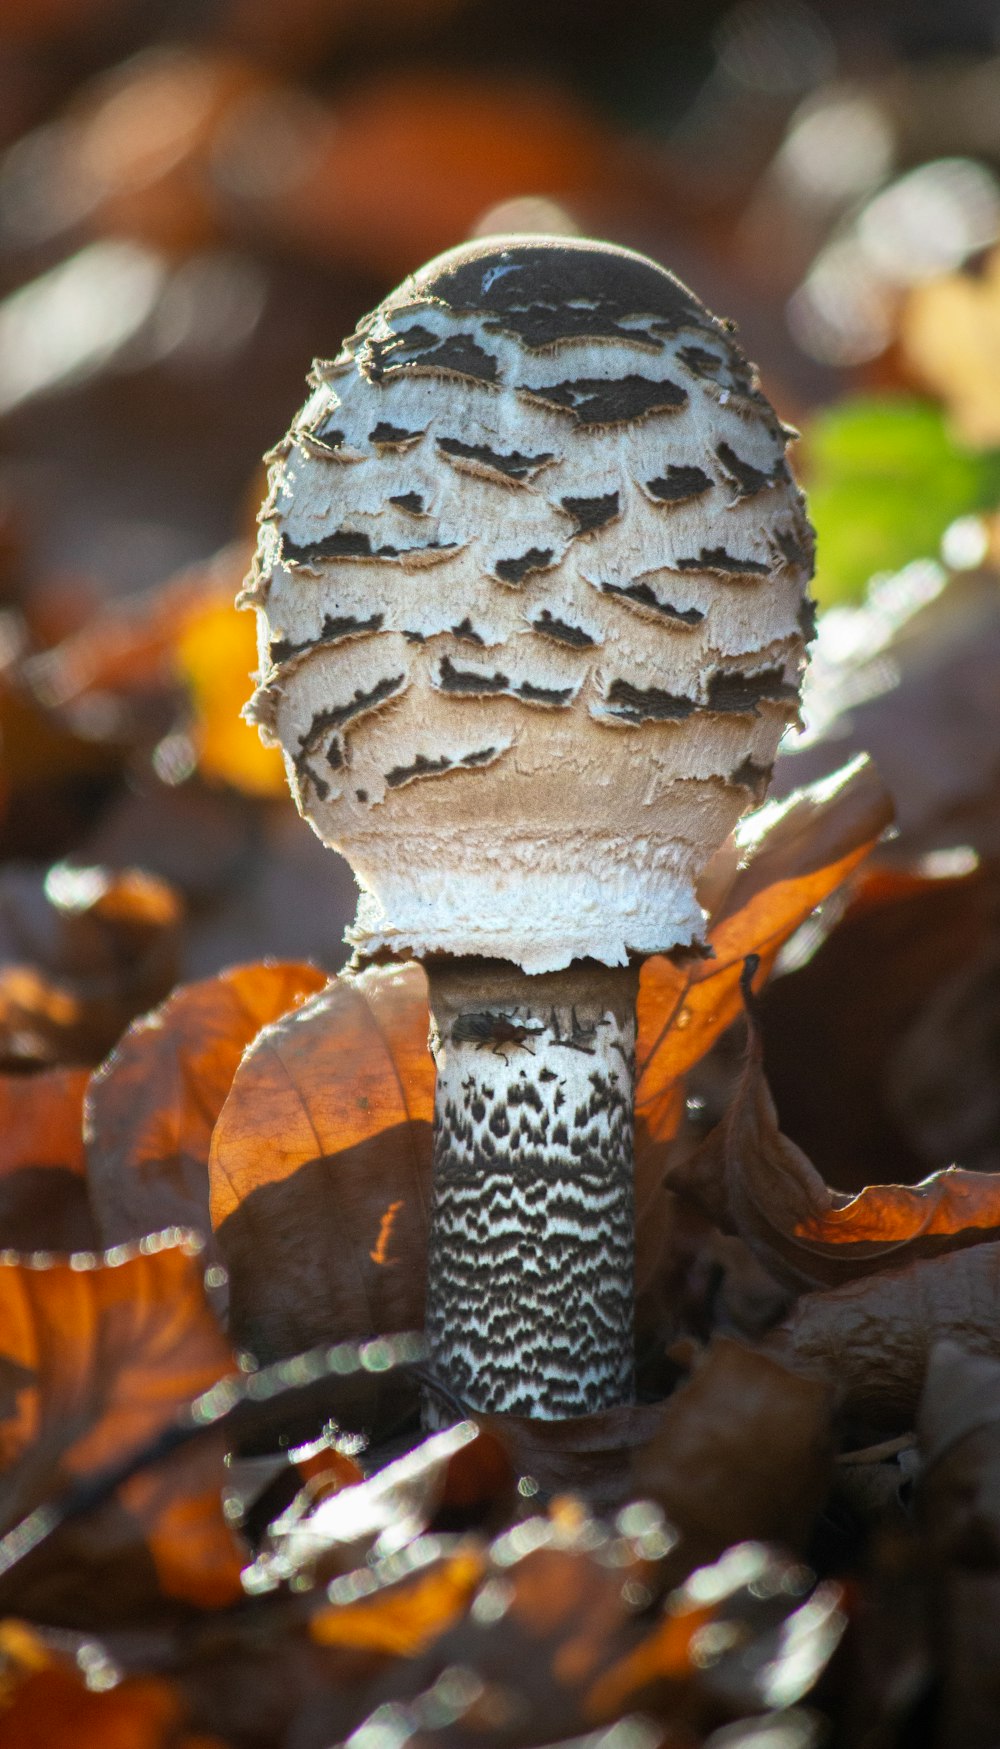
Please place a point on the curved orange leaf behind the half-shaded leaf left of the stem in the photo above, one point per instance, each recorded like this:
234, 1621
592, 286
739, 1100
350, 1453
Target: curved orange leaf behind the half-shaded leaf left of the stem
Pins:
153, 1104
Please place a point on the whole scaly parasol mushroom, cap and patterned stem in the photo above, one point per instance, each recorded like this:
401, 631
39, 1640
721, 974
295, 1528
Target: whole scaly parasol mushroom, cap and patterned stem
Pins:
532, 617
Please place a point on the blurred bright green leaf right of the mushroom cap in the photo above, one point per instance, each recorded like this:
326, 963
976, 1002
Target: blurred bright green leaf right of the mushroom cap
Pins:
885, 480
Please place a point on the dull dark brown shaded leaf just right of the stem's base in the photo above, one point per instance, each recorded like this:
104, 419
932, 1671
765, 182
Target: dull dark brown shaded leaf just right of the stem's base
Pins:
740, 1453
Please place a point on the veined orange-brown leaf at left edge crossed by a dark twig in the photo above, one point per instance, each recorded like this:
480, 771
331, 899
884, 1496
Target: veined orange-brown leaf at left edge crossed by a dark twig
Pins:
97, 1356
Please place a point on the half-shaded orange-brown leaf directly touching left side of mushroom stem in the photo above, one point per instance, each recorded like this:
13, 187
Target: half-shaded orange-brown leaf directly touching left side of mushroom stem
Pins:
328, 1124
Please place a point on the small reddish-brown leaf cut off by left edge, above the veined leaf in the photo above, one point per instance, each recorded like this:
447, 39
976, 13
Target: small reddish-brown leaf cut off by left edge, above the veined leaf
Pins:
43, 1174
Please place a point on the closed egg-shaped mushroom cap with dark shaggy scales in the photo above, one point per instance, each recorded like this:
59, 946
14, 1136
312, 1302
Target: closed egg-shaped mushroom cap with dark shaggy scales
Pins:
532, 604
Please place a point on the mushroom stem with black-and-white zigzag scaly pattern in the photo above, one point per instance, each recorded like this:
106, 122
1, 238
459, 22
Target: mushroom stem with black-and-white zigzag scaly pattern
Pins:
532, 1236
